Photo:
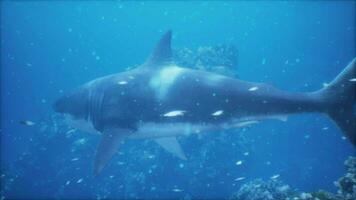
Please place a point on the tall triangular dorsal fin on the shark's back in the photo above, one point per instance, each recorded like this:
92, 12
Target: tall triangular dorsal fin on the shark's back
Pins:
162, 54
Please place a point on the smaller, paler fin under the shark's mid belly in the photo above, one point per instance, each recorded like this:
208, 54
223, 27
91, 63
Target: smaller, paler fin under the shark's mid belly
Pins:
171, 145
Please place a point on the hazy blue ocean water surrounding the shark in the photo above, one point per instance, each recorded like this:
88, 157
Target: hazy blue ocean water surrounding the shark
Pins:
48, 48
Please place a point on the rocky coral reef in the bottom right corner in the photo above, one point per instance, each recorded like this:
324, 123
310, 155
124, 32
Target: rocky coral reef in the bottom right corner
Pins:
275, 189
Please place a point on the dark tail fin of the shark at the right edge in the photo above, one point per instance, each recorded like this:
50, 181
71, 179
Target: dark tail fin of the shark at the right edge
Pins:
339, 98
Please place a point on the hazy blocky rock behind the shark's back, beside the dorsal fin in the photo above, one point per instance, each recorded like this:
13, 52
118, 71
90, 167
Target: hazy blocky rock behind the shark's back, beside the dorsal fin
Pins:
221, 59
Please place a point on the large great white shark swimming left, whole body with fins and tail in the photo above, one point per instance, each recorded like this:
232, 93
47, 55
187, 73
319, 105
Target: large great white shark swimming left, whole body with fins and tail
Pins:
160, 100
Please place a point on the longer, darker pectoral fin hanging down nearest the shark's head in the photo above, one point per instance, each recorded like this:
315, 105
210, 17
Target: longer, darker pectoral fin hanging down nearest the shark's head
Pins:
108, 145
